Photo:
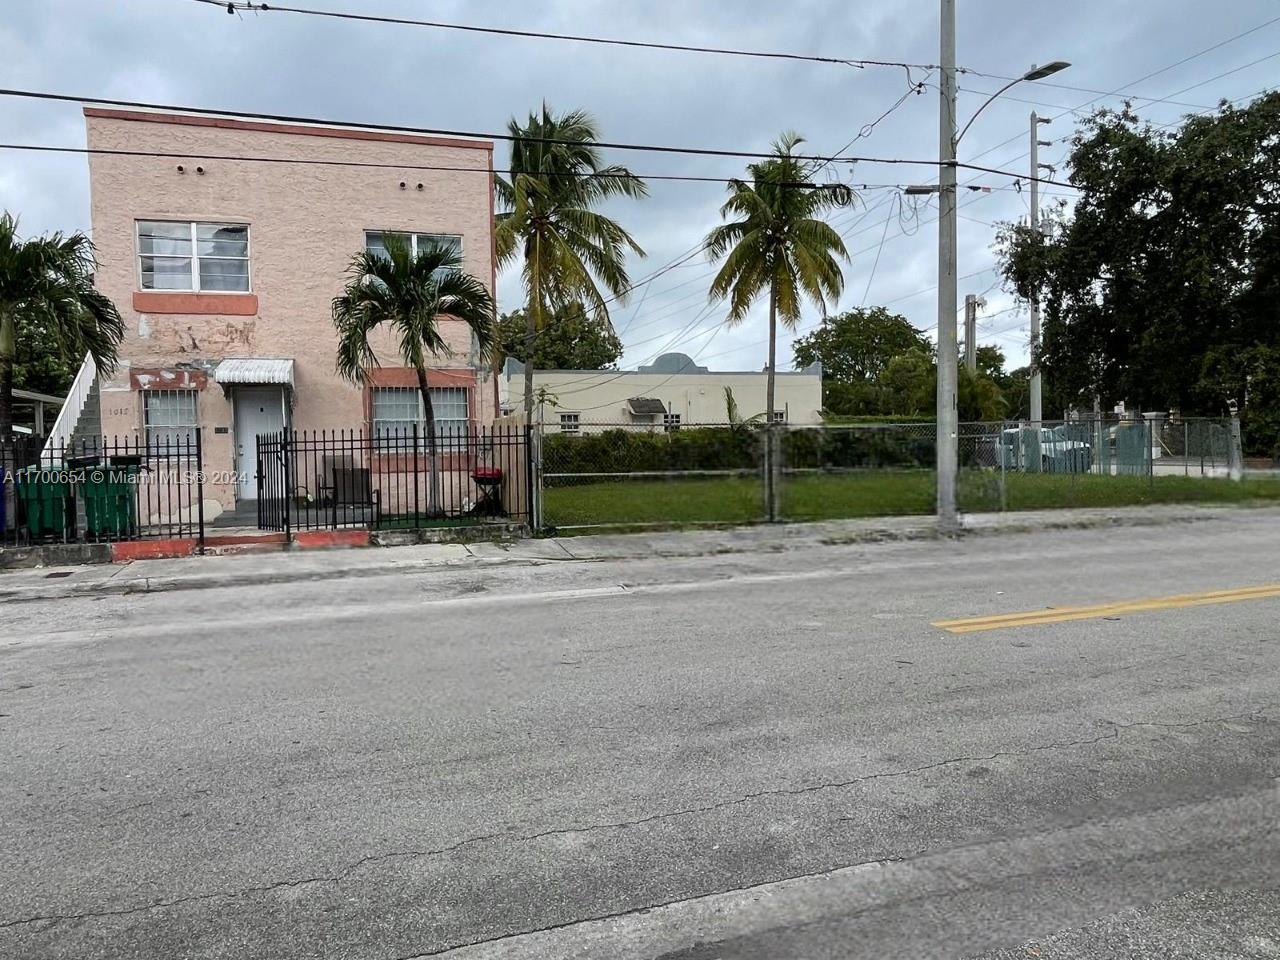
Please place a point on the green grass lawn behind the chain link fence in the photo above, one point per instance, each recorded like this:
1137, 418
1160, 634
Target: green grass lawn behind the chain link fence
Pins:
872, 495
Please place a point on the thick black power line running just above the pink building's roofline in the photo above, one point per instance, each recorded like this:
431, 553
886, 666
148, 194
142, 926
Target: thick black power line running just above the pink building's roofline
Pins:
508, 138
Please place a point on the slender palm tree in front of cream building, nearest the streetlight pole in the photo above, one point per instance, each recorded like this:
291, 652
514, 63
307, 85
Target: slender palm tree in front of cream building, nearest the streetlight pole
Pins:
780, 245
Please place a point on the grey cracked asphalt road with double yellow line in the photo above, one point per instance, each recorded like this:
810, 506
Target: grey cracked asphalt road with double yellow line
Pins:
733, 758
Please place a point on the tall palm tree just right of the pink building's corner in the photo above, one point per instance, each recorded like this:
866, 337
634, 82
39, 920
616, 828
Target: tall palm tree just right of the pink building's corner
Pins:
569, 250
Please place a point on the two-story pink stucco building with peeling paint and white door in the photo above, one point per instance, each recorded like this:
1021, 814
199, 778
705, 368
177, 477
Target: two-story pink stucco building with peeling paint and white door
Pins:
223, 243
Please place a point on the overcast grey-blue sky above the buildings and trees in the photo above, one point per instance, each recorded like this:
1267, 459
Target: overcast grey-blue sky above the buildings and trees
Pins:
185, 53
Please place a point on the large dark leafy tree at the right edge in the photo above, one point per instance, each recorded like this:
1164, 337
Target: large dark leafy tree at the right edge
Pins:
1159, 287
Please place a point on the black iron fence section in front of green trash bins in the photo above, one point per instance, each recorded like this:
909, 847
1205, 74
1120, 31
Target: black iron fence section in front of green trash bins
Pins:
102, 490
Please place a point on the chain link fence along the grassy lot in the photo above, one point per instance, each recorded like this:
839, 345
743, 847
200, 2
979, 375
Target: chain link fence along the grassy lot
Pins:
648, 476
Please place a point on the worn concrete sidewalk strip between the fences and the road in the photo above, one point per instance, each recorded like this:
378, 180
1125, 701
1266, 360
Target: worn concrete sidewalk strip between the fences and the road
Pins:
131, 579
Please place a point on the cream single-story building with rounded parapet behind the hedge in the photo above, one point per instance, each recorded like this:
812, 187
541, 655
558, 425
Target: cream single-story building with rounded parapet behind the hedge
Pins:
671, 392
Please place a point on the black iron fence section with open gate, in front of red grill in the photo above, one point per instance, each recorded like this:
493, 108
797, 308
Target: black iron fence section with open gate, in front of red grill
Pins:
394, 481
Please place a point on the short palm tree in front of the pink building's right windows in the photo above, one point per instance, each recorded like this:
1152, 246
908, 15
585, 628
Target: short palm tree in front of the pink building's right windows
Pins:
410, 295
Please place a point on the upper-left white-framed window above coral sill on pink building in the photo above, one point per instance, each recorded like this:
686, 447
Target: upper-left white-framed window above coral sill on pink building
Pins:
182, 255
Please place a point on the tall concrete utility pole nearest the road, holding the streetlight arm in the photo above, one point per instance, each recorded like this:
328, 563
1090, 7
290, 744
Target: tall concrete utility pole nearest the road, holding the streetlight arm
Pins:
948, 446
